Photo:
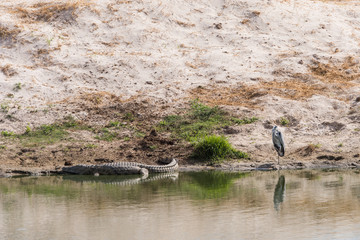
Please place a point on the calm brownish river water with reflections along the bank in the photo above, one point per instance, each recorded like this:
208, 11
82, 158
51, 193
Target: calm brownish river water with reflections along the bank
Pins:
310, 204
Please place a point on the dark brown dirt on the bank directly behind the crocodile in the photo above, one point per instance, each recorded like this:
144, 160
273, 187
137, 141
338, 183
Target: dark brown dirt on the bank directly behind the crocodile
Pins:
144, 145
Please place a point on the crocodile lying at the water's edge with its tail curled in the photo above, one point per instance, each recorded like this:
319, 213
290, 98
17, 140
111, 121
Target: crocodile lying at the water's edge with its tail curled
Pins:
120, 168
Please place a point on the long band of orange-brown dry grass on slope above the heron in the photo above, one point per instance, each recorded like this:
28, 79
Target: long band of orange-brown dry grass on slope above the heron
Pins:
330, 80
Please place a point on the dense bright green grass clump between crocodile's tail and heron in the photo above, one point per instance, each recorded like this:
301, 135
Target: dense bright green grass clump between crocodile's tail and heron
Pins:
216, 148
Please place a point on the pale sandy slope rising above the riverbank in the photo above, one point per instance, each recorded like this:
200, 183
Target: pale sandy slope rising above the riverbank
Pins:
271, 59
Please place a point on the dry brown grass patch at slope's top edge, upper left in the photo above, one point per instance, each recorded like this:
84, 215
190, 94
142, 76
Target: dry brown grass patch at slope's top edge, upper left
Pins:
52, 12
